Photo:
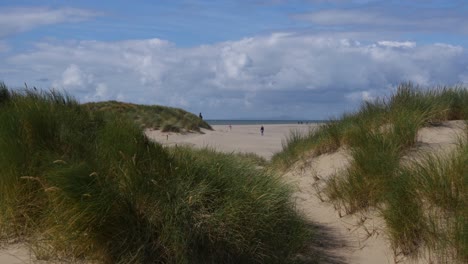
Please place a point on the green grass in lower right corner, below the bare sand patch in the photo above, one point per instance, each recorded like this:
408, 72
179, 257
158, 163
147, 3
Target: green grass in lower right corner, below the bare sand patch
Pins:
428, 207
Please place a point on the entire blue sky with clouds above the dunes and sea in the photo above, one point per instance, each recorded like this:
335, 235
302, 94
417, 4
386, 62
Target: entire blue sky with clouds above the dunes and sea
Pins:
255, 59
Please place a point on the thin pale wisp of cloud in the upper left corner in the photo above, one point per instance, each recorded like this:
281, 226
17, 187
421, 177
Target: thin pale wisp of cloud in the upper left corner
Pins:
15, 20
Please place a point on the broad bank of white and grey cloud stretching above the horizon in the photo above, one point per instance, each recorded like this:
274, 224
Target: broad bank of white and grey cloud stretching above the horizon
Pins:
299, 75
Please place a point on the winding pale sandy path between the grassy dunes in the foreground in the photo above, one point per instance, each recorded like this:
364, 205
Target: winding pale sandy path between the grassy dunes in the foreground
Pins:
352, 243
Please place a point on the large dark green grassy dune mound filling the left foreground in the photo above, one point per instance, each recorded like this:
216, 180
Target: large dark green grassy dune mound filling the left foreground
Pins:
84, 185
